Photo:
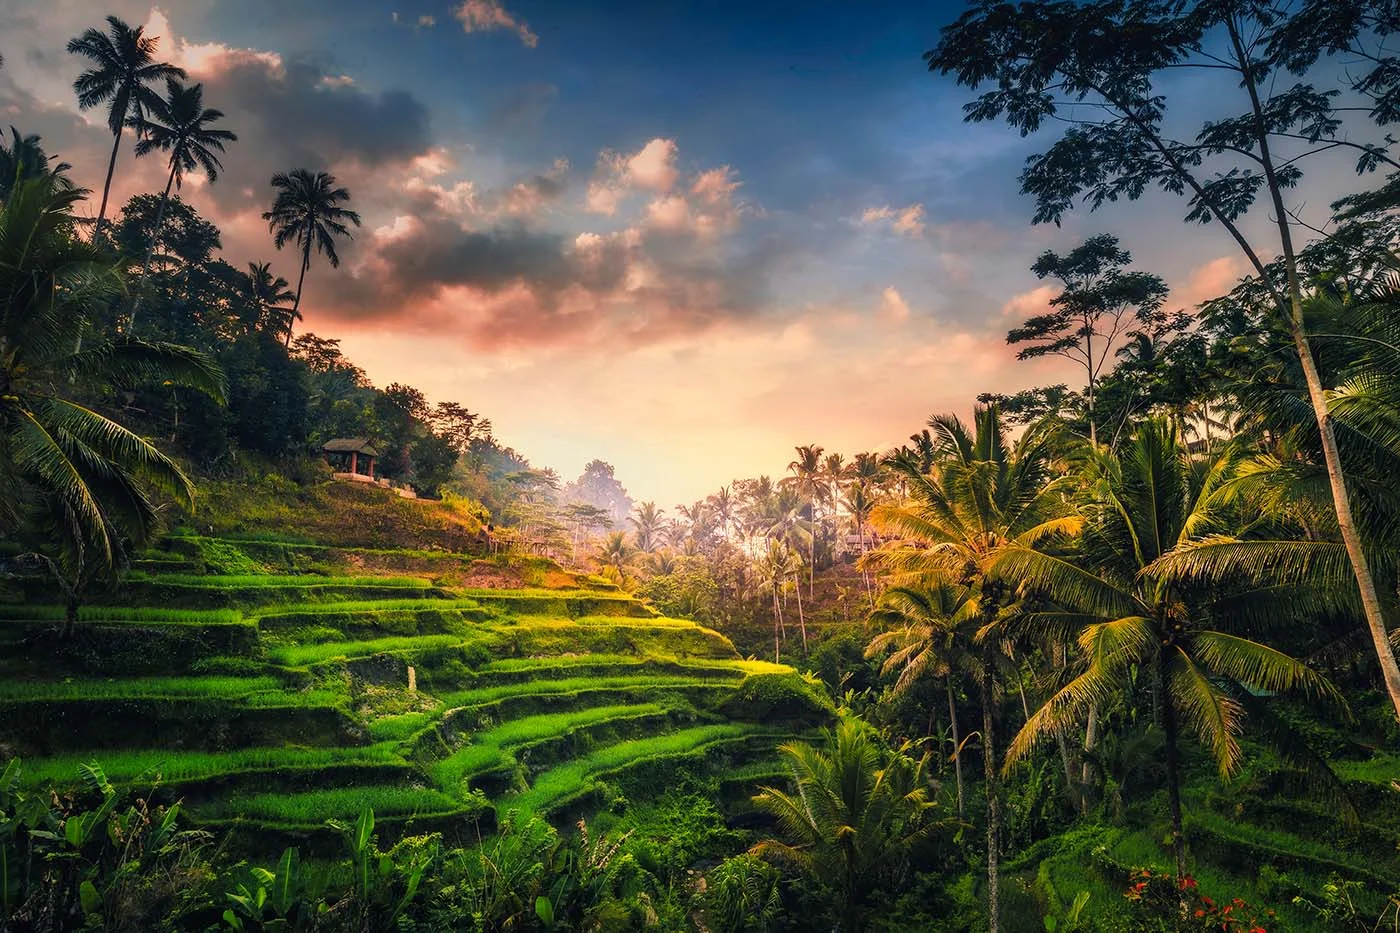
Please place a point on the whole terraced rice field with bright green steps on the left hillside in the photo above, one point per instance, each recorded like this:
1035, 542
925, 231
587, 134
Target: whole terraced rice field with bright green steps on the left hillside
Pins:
274, 704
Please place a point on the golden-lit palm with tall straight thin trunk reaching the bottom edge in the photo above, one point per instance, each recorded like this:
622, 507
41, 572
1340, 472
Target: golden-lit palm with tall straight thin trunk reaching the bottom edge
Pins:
983, 497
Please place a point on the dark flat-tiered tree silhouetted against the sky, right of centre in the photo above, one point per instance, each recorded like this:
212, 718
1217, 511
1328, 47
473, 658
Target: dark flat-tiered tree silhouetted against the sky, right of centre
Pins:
1087, 322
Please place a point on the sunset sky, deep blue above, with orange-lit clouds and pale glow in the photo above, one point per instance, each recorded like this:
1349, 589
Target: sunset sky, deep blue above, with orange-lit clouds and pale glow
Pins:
678, 237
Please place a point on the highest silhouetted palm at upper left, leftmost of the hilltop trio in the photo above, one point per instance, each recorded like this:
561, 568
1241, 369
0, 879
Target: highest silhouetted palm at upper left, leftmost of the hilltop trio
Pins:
125, 67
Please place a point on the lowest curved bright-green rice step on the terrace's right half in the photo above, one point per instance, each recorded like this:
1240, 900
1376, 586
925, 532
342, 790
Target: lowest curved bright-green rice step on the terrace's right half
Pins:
559, 787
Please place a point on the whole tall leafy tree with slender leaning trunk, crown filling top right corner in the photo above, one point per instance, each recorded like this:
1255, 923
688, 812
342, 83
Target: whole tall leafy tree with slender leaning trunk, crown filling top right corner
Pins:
1097, 67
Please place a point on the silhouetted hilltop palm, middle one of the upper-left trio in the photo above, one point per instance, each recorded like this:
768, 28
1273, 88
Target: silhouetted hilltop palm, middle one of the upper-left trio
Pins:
178, 124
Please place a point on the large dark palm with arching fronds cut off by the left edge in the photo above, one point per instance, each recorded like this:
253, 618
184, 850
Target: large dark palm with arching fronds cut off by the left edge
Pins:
68, 474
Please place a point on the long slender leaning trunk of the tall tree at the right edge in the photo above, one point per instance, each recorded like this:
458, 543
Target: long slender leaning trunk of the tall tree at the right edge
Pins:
1317, 394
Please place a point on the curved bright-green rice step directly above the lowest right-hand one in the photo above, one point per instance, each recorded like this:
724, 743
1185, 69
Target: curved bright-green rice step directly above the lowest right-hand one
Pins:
492, 749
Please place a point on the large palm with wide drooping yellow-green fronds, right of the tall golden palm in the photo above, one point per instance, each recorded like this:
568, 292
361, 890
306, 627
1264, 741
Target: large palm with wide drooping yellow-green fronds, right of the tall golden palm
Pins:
1154, 506
